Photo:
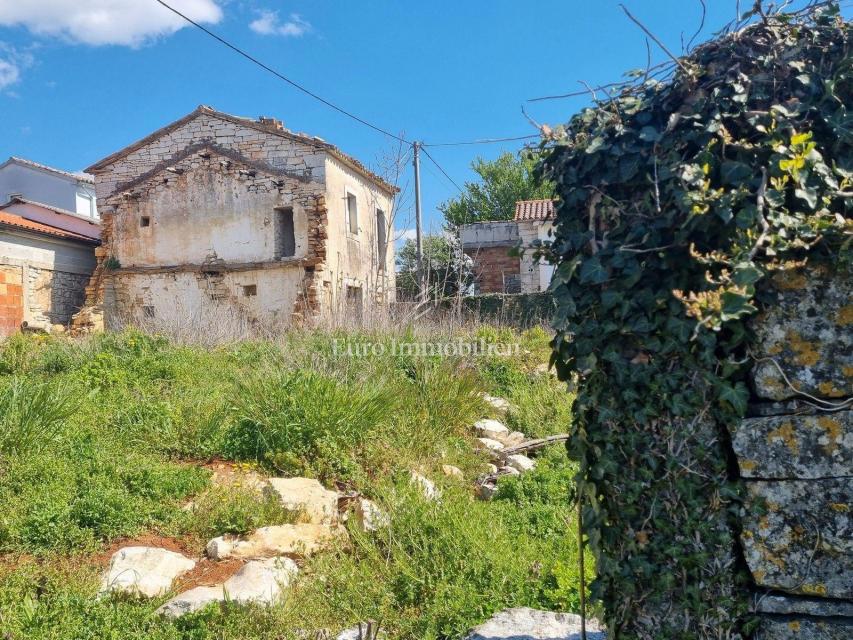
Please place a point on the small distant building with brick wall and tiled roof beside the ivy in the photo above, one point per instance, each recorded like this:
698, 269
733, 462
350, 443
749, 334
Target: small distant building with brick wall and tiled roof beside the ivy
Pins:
503, 252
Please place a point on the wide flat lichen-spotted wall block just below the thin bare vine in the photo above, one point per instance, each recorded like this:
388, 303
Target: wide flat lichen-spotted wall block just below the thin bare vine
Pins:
806, 446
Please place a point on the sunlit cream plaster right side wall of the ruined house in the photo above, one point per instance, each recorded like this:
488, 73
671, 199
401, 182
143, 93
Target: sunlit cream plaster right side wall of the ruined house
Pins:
353, 259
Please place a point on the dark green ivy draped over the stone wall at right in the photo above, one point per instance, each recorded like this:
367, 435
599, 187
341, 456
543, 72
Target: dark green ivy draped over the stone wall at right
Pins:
676, 199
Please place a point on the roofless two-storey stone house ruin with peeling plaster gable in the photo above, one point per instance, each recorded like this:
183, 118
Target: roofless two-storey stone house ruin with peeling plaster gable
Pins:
218, 213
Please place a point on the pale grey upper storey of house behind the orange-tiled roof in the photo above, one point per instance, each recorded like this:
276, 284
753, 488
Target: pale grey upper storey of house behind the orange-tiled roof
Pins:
63, 190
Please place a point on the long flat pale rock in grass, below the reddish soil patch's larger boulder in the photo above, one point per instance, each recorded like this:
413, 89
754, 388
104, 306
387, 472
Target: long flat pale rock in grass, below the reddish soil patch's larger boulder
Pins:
299, 540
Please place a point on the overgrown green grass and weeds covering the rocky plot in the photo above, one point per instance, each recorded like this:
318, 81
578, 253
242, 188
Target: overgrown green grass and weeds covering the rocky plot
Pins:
106, 438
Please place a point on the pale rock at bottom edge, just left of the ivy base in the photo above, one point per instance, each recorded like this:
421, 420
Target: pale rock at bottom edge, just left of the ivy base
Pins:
530, 624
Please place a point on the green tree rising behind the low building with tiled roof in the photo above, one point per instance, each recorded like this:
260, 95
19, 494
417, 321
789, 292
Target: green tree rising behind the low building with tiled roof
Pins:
502, 183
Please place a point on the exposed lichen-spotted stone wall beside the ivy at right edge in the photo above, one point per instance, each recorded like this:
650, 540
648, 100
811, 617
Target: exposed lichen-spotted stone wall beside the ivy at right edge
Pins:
795, 457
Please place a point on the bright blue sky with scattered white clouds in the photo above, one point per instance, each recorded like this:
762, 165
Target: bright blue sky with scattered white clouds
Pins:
80, 79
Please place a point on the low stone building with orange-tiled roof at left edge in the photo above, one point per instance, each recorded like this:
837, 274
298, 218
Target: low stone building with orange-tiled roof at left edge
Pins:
47, 256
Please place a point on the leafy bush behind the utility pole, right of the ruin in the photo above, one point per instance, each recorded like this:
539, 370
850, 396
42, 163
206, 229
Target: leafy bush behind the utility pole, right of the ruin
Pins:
444, 270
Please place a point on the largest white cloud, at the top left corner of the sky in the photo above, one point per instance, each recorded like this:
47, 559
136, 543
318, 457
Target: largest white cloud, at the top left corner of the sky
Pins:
105, 22
